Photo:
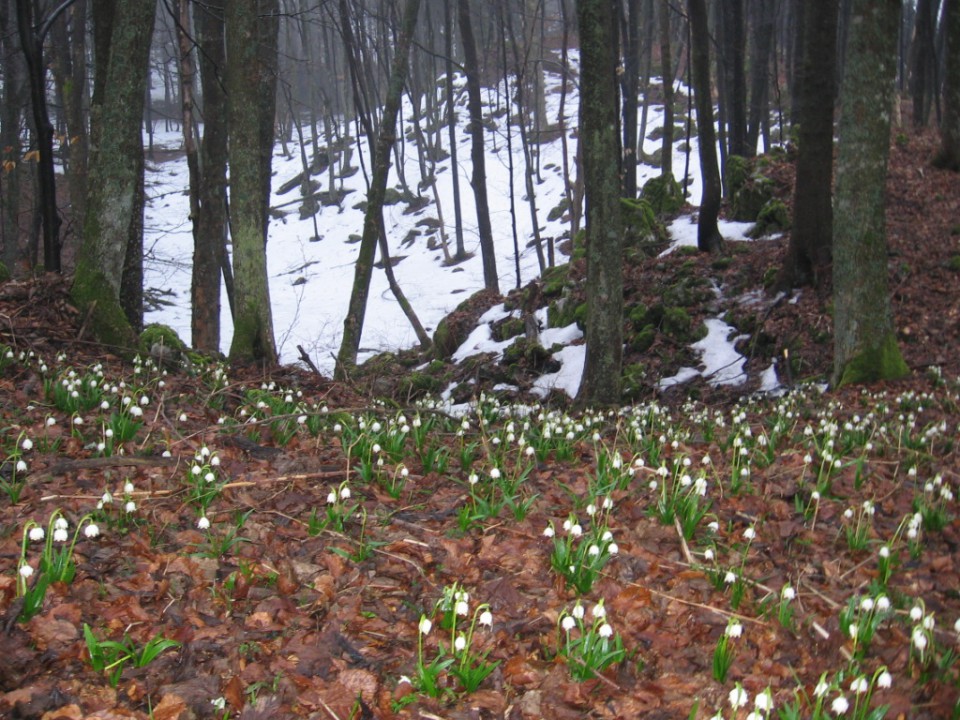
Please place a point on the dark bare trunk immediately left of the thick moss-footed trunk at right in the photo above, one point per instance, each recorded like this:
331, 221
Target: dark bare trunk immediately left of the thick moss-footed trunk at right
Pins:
811, 238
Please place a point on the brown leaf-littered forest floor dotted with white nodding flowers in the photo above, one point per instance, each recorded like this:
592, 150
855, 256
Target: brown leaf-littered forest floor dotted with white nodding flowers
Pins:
746, 536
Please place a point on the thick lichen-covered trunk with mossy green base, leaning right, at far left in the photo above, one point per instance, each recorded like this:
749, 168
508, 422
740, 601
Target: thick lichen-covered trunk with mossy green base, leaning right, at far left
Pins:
114, 201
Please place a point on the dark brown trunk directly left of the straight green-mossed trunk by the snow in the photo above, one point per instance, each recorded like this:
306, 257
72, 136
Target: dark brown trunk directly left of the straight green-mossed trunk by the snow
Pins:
210, 223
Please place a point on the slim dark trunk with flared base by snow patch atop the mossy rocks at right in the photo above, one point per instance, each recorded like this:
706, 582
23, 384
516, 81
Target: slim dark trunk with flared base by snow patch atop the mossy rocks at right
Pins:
708, 234
